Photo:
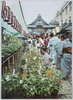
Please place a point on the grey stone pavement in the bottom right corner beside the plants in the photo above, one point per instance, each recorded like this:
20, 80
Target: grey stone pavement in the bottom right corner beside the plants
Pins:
66, 92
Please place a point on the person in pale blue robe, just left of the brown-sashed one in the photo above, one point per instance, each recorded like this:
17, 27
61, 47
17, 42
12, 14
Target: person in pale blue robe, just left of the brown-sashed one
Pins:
51, 45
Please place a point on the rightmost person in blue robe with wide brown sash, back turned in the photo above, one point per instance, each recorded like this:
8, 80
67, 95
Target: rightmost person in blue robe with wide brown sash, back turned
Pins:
65, 51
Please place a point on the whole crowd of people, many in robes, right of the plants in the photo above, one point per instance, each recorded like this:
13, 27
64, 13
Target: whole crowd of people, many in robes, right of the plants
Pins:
58, 50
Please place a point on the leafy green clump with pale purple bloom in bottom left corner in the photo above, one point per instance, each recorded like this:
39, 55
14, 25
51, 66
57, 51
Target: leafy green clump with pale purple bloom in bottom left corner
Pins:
10, 82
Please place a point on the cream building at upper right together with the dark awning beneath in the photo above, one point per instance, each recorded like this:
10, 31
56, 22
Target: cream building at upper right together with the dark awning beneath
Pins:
64, 17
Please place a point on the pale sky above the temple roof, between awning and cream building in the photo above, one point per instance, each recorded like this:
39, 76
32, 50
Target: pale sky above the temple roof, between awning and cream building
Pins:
47, 9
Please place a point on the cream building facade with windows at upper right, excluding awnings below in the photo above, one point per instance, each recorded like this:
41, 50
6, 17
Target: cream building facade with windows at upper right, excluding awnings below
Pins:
64, 14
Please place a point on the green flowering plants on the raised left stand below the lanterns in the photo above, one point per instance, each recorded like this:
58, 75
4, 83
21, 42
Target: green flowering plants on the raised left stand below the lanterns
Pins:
10, 44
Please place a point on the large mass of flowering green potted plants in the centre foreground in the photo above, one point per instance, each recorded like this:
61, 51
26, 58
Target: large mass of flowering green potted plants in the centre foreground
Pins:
36, 81
